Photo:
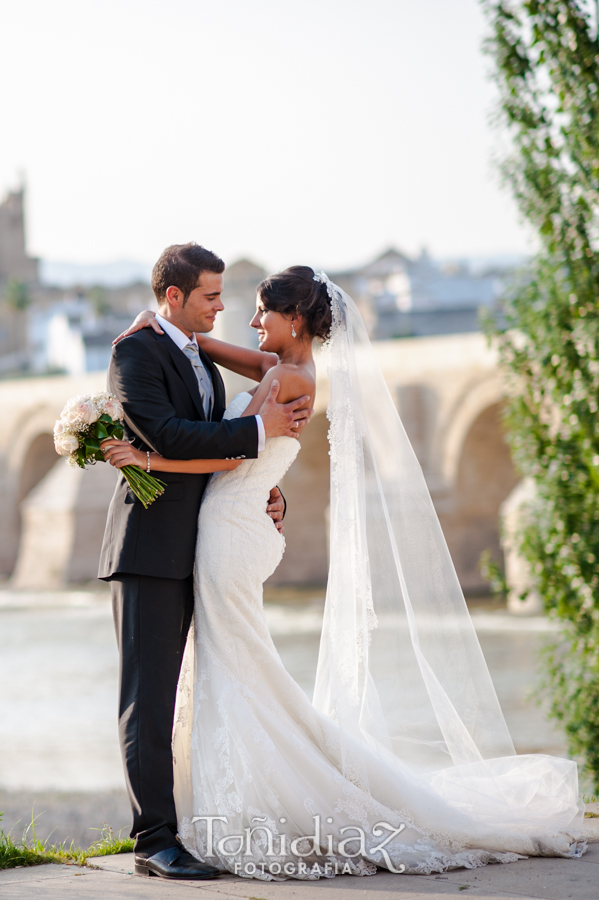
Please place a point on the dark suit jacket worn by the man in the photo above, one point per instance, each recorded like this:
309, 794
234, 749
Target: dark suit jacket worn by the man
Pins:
157, 386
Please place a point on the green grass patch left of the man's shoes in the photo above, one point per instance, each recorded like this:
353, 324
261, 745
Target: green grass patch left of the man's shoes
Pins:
31, 851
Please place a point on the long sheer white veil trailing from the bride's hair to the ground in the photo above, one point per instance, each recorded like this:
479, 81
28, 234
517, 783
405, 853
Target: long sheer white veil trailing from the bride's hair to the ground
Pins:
400, 667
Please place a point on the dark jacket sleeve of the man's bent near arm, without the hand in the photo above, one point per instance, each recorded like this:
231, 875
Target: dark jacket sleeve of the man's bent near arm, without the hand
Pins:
135, 377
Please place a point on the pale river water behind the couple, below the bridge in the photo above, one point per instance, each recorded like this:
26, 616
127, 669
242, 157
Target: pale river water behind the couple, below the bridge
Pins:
58, 671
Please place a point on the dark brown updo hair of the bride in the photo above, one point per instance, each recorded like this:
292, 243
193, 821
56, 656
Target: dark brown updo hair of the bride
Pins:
294, 291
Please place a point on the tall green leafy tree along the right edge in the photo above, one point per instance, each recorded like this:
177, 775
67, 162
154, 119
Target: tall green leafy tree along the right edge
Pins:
546, 60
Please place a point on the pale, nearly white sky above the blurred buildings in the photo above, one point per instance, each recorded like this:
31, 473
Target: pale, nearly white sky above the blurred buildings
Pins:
314, 131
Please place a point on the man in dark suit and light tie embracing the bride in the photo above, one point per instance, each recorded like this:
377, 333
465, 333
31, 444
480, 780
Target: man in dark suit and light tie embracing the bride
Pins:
174, 400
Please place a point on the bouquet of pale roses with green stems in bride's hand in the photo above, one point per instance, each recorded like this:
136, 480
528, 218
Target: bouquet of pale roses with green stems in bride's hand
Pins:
84, 423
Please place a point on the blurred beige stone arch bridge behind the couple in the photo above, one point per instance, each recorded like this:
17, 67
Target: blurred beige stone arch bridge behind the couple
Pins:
447, 389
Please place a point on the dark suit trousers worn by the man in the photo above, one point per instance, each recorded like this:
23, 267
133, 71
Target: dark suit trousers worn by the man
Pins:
152, 618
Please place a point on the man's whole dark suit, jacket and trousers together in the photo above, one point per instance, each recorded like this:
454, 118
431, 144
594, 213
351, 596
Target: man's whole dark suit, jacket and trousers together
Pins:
148, 556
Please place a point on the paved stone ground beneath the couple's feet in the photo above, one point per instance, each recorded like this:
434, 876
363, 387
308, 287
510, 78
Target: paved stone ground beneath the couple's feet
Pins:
112, 877
